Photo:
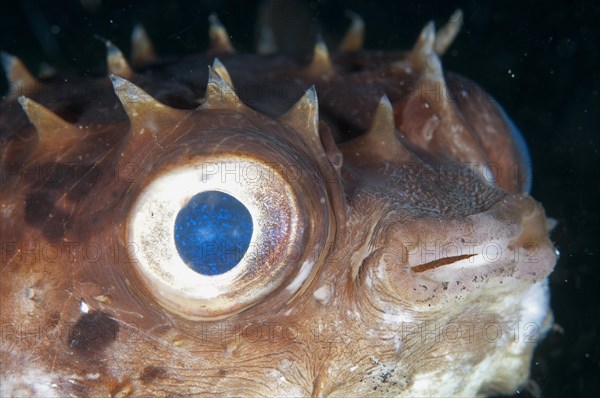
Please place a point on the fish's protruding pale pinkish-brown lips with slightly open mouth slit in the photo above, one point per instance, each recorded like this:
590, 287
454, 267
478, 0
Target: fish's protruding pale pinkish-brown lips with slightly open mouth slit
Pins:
502, 250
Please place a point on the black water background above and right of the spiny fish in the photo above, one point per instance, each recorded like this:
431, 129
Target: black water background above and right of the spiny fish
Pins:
541, 60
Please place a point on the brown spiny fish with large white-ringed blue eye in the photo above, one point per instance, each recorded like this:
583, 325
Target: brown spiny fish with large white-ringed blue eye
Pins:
154, 250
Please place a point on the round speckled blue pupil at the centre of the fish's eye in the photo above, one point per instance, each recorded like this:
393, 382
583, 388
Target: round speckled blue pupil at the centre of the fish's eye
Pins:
213, 232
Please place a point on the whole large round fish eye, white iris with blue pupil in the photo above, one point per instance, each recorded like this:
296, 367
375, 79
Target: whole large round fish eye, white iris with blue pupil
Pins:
216, 235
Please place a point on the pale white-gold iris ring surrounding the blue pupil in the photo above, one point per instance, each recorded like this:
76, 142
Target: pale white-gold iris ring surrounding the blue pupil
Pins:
274, 212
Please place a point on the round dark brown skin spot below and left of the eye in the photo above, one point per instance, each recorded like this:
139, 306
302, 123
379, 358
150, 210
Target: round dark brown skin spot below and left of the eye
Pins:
93, 332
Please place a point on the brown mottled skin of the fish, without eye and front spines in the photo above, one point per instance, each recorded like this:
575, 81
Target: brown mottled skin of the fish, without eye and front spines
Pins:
355, 325
